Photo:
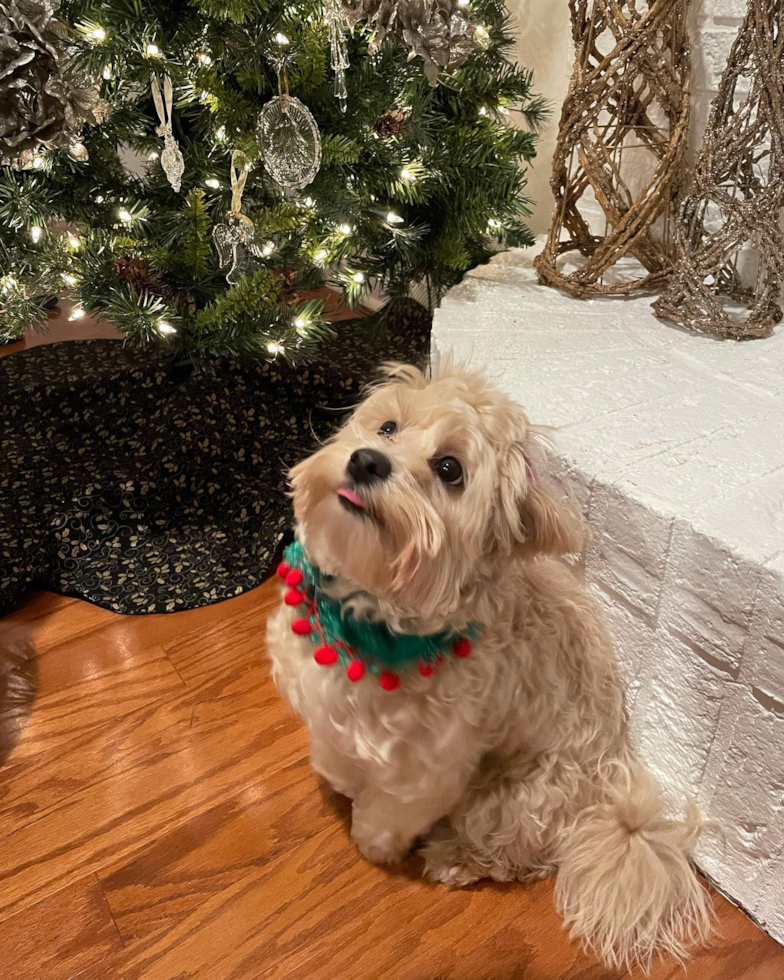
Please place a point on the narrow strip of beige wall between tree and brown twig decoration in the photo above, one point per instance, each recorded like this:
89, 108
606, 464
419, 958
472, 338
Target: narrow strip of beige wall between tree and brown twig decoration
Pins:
545, 45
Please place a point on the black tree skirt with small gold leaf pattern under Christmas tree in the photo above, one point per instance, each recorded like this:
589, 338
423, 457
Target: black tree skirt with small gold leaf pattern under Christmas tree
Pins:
128, 483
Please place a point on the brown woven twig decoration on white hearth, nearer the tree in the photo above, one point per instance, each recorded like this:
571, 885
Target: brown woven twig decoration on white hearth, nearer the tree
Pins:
621, 145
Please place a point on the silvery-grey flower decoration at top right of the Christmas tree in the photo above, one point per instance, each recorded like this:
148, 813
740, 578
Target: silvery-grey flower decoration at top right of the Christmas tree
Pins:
438, 31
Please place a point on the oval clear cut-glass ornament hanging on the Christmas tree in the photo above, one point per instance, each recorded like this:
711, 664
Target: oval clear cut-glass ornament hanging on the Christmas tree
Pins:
290, 141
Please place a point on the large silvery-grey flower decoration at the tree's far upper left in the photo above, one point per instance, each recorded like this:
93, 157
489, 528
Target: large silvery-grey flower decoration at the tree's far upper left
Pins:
41, 106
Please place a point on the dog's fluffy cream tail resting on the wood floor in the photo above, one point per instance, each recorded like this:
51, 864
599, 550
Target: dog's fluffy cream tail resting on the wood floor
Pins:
625, 884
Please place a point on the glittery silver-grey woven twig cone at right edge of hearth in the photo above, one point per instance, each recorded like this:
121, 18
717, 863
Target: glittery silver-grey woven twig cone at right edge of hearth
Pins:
729, 243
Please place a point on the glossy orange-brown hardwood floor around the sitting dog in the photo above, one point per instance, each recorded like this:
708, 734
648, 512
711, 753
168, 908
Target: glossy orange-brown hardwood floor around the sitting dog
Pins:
159, 821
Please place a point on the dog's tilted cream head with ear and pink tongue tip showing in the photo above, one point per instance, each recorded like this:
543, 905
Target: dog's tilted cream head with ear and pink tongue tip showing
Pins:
427, 483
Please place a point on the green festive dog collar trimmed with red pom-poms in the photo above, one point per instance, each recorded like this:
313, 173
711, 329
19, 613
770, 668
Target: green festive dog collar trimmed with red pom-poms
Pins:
359, 645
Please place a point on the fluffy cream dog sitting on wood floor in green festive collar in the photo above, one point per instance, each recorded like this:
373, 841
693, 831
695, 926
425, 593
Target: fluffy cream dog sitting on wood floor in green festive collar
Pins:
426, 528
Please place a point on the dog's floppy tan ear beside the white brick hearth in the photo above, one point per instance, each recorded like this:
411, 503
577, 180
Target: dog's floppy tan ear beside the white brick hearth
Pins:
536, 522
